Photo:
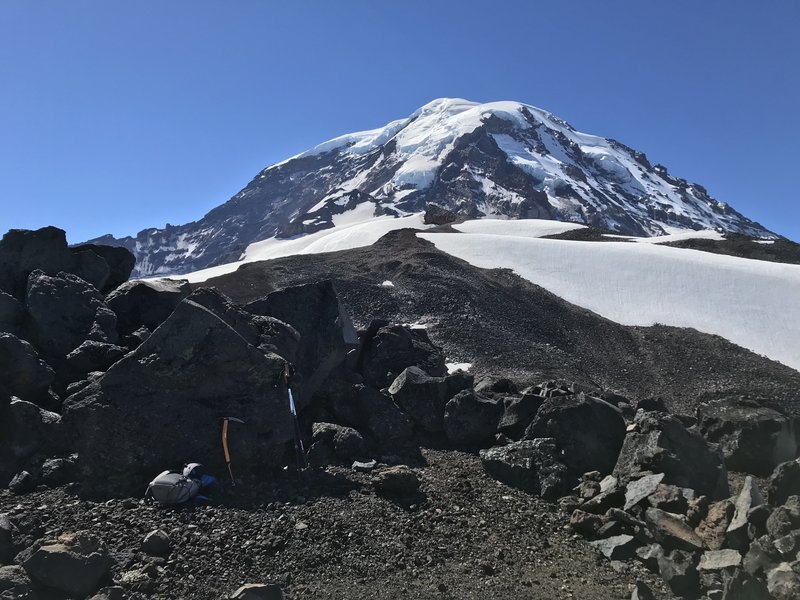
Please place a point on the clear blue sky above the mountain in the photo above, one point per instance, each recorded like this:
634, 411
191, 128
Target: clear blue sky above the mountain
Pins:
121, 115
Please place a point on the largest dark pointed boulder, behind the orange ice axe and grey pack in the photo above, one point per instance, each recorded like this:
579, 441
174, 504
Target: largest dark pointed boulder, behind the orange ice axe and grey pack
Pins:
173, 391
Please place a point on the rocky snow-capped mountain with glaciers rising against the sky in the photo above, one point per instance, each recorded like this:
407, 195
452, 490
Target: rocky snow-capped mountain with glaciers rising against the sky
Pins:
499, 159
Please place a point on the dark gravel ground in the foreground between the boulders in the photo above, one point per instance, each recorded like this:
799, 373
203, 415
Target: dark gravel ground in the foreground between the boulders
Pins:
330, 535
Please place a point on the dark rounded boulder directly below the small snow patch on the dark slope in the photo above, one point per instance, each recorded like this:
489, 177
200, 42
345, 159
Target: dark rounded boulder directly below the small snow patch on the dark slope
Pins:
470, 419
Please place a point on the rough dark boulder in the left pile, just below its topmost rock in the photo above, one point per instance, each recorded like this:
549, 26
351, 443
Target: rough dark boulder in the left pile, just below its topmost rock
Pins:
64, 311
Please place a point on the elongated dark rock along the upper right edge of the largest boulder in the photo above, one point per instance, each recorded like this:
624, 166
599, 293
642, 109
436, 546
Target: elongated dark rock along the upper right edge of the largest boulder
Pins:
268, 334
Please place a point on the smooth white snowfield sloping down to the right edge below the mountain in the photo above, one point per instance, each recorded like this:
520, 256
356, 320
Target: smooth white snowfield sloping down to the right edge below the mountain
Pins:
754, 304
